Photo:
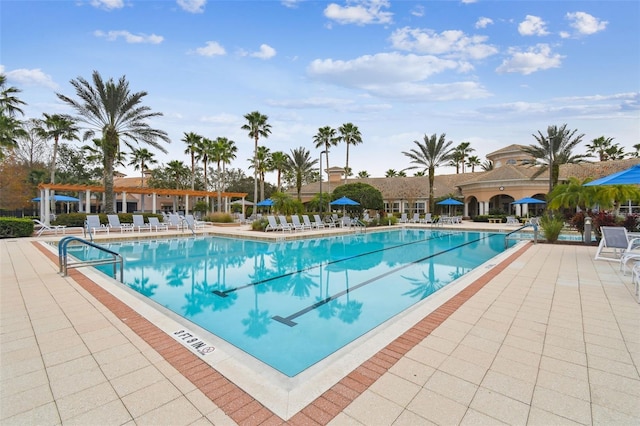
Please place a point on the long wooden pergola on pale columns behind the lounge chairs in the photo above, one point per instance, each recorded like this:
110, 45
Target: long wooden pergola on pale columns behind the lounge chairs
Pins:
46, 197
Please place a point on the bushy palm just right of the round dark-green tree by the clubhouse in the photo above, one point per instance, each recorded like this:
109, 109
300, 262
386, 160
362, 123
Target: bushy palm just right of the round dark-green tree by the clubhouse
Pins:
435, 152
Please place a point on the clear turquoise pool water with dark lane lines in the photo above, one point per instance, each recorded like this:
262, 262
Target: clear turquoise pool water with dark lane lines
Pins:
292, 303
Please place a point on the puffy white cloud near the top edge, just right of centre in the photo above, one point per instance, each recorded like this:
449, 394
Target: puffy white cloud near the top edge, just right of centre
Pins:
360, 12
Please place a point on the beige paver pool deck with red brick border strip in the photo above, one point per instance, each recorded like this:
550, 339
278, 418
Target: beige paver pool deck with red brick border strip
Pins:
548, 336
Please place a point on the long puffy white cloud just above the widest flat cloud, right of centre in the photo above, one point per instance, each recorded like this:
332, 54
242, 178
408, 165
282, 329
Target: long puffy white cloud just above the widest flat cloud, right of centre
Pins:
453, 43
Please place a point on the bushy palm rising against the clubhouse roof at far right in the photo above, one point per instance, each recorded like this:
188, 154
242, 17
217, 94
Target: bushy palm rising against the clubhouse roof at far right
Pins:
553, 149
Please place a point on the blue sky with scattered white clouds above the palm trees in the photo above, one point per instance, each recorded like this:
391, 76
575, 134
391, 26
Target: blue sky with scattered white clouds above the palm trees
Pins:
492, 73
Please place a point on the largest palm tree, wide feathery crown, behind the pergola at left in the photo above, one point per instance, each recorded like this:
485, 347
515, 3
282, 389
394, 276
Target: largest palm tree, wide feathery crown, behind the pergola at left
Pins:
110, 109
